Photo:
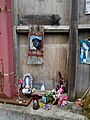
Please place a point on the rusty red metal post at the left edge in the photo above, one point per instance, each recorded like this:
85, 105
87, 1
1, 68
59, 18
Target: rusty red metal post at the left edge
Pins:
6, 47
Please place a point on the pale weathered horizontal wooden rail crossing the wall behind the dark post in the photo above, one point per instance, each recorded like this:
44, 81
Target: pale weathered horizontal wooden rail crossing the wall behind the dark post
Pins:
53, 29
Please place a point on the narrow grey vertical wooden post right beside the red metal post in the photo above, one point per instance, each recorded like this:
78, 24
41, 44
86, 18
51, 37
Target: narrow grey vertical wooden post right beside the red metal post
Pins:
15, 4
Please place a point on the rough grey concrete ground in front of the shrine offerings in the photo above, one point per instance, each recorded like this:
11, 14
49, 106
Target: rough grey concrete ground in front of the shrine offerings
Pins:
13, 112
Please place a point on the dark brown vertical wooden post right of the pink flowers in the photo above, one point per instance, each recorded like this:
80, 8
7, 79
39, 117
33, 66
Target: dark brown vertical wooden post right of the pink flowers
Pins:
73, 39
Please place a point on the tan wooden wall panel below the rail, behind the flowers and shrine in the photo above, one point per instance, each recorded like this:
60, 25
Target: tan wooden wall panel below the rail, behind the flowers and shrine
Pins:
55, 59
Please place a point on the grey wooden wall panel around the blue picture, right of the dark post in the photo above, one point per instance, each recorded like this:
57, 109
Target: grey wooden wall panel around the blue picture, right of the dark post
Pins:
82, 70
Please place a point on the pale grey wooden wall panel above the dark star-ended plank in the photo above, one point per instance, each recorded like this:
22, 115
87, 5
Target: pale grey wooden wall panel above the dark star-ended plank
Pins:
45, 7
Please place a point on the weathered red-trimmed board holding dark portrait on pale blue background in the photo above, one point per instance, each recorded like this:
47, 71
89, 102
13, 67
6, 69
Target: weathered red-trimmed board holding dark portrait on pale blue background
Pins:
36, 44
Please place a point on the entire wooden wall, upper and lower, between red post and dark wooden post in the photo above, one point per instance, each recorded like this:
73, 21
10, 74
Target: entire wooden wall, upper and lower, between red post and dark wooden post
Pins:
56, 45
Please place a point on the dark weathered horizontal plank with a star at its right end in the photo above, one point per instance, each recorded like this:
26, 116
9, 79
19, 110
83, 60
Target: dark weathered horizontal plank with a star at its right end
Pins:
39, 19
